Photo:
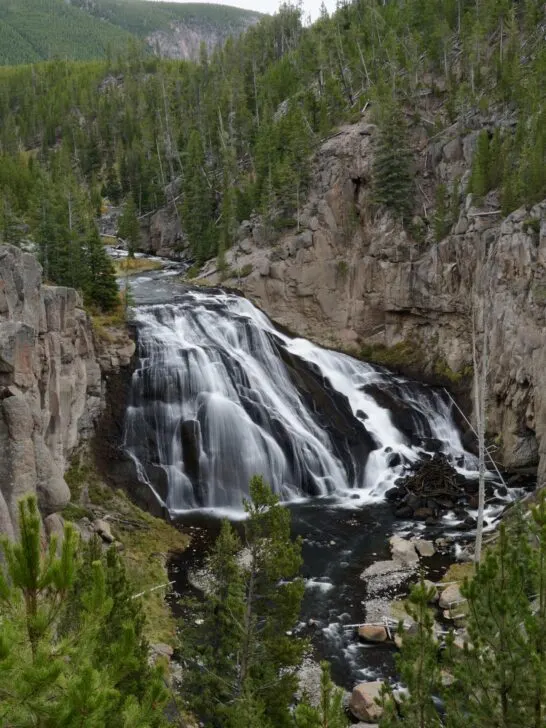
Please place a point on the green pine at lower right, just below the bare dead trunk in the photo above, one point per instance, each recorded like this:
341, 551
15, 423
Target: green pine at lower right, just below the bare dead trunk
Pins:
492, 676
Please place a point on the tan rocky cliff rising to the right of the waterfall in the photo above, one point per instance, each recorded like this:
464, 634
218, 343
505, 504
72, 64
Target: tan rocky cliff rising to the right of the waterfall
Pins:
359, 281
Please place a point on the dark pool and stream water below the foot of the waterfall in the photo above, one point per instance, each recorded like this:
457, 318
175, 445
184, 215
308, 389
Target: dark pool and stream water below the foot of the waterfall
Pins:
338, 544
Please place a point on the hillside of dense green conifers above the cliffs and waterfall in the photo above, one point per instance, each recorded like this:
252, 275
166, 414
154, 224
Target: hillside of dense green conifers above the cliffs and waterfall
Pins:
233, 134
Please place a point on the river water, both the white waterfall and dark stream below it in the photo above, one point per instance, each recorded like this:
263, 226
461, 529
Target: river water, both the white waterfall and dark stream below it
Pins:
220, 394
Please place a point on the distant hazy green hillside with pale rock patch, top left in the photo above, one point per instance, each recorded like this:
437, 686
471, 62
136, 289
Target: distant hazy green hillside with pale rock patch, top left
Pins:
34, 30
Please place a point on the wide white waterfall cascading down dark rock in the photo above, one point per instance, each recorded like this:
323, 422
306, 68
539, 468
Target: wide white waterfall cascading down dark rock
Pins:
219, 394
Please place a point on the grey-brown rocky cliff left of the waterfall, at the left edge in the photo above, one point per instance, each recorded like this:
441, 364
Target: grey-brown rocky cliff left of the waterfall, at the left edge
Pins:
51, 383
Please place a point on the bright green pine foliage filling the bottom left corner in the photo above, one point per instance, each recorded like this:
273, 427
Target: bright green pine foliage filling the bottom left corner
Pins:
70, 636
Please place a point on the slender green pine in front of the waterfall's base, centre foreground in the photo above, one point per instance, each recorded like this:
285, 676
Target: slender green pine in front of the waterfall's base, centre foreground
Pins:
243, 653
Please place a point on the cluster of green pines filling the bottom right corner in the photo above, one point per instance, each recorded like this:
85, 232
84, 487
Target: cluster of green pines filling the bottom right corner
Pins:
498, 678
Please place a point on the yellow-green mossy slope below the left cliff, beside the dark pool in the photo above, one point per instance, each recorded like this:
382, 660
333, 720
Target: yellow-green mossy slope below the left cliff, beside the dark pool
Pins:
147, 542
